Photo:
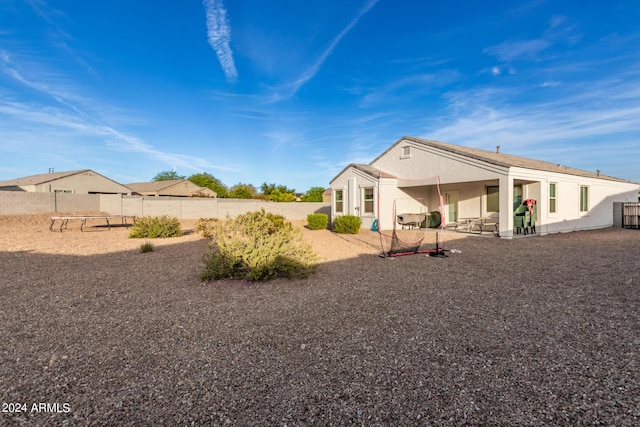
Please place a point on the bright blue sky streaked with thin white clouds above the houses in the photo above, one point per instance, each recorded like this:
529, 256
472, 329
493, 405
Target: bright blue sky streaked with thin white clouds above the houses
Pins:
290, 92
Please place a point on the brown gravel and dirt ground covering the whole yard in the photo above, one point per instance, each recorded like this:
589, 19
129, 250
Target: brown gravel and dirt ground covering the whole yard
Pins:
535, 331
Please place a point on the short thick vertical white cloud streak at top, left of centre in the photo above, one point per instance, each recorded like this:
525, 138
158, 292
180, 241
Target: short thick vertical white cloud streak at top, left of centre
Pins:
219, 35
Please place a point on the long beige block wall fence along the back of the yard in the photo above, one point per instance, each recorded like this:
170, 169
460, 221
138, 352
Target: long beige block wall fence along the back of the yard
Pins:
23, 203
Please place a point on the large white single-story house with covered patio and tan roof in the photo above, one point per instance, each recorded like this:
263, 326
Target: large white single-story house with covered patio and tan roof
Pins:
476, 183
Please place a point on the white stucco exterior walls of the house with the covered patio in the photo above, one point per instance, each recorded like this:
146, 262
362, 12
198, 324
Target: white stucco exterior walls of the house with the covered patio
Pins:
468, 178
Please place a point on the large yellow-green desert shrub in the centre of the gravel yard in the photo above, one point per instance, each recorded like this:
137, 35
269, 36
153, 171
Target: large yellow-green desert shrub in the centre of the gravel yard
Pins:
257, 246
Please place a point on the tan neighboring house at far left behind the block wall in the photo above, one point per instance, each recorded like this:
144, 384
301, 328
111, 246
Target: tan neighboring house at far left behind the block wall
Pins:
83, 181
